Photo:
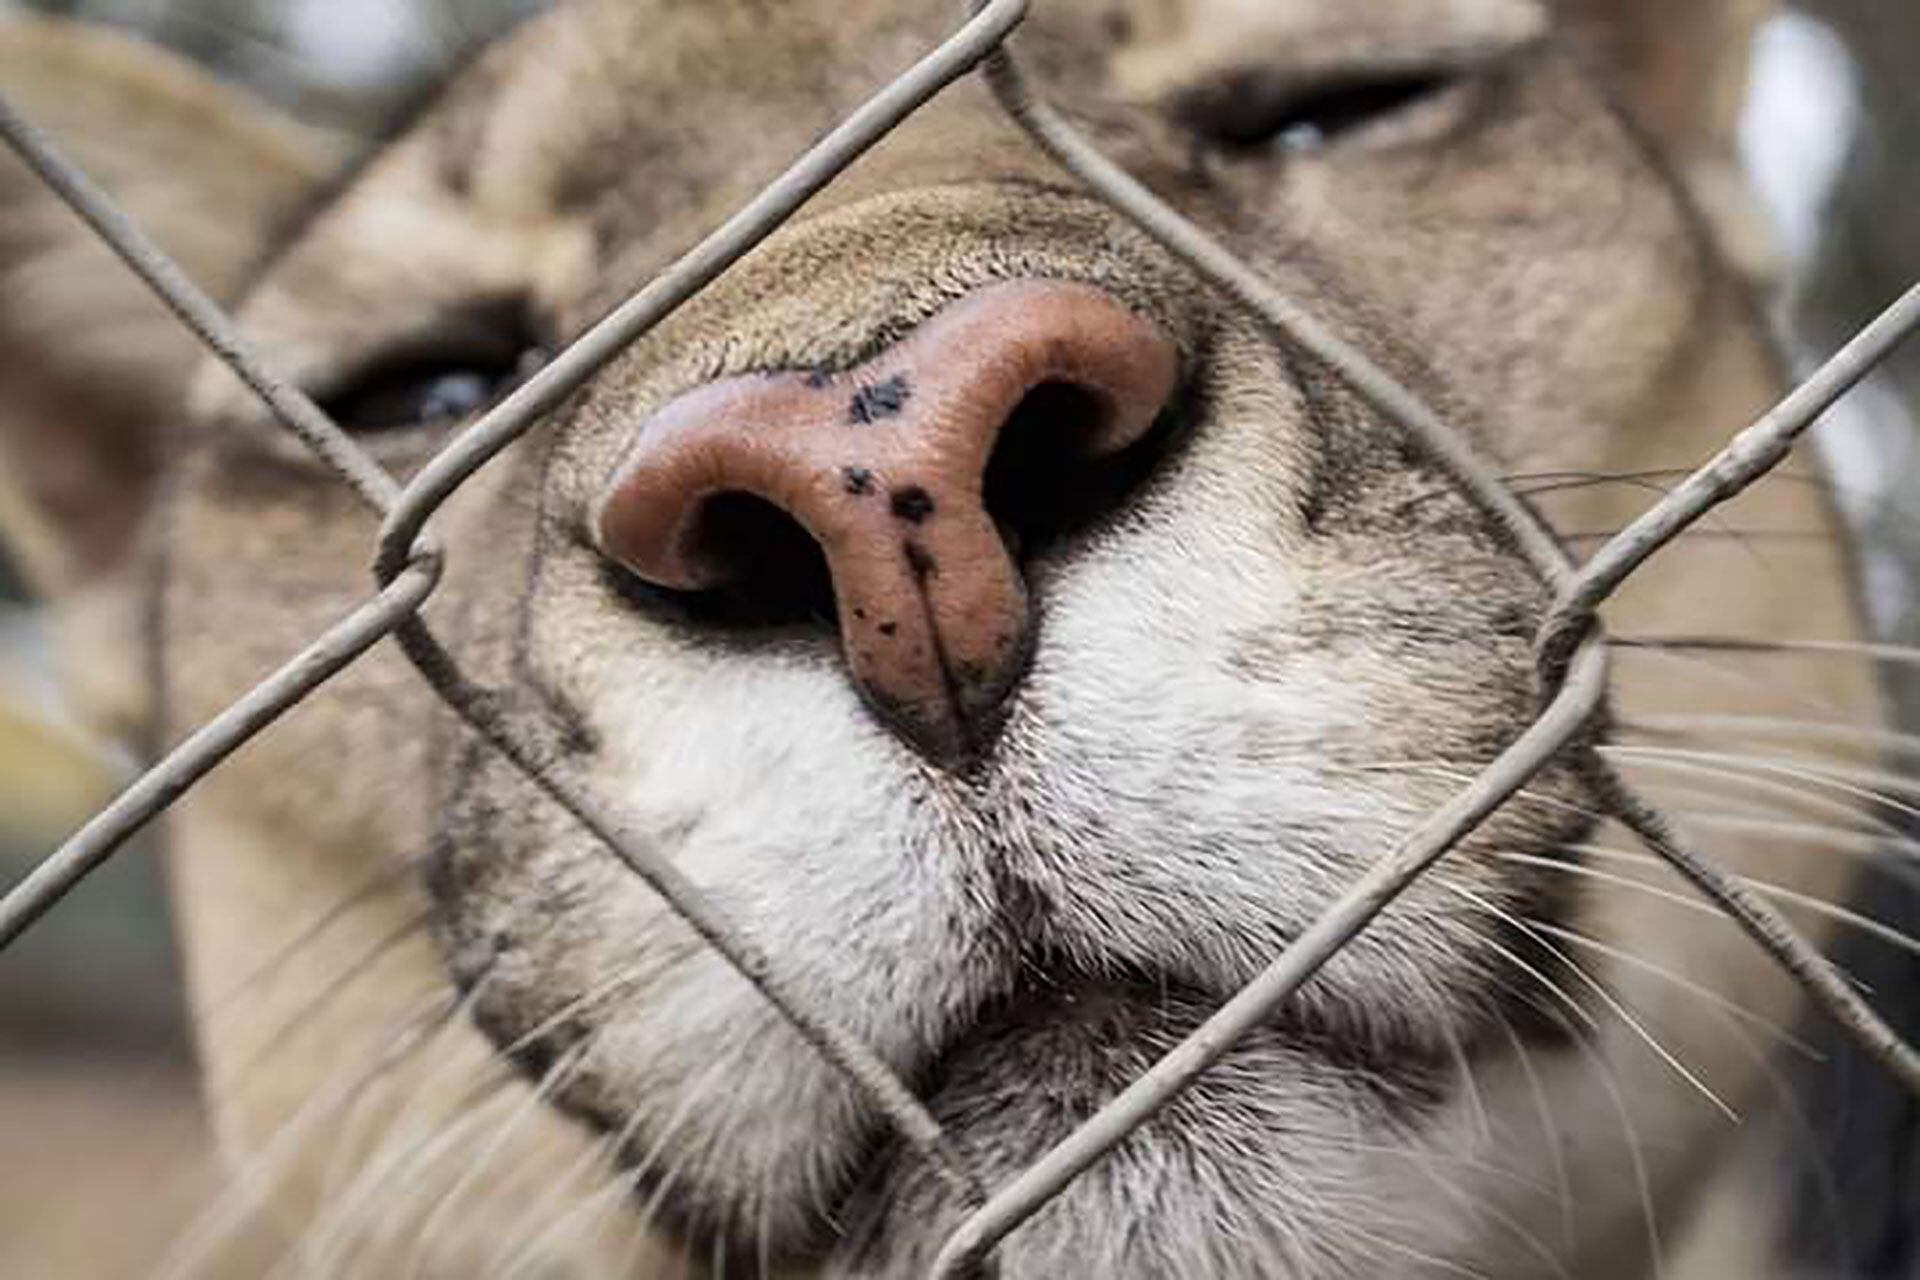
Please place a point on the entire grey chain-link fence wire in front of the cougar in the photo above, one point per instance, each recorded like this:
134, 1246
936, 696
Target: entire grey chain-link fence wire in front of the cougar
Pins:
408, 563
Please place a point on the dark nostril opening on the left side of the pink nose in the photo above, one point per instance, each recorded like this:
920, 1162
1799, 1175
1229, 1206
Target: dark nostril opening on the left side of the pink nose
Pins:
765, 569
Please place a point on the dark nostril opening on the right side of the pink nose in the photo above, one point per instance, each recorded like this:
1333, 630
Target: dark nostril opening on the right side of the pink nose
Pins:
1047, 477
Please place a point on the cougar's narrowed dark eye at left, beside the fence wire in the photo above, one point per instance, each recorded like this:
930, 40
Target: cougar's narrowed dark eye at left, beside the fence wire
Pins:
439, 379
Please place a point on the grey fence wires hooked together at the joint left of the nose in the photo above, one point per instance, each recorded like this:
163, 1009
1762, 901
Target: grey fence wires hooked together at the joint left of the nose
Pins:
521, 738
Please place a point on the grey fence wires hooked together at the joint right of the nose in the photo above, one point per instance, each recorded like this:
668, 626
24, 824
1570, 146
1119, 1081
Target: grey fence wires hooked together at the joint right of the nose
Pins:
1579, 682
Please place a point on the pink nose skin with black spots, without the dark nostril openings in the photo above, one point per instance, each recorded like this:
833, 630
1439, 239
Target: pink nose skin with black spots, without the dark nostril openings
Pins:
884, 467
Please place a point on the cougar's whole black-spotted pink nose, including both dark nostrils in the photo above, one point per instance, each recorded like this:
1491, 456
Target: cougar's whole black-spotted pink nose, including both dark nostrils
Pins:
901, 498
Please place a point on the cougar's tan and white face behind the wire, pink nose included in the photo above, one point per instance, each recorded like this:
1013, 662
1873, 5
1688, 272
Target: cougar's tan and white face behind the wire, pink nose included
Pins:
1009, 634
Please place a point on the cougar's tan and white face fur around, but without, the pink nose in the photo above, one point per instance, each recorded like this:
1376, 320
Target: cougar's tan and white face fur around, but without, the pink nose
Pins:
1251, 678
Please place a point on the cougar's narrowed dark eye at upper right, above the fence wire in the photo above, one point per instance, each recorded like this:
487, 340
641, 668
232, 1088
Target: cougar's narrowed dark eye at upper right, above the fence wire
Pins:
1259, 110
